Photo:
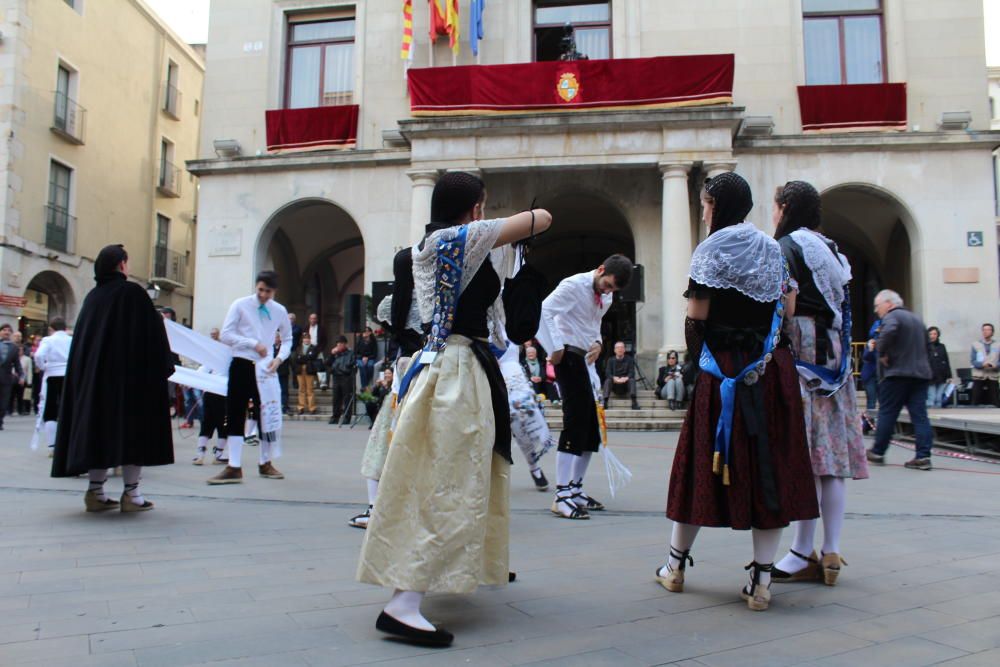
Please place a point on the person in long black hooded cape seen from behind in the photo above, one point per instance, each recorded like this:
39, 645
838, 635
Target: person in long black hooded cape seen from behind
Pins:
115, 410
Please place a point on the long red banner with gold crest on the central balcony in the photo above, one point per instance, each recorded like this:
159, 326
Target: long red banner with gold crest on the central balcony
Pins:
579, 85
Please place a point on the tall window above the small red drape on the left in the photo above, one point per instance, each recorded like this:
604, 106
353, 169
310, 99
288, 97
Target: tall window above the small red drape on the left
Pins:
320, 65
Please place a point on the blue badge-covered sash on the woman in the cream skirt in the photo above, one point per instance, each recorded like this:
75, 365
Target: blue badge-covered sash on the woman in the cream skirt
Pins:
448, 279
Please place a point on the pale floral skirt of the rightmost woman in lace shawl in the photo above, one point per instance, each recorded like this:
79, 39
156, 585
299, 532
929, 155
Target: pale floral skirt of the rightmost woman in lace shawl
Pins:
833, 425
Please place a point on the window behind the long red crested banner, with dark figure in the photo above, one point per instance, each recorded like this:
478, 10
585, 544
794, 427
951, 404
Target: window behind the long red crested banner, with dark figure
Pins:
572, 30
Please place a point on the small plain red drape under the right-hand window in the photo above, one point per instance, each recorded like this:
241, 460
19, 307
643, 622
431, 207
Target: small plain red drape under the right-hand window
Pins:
863, 107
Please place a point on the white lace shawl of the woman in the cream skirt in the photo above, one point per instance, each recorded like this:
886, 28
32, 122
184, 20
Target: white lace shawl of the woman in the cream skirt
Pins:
479, 241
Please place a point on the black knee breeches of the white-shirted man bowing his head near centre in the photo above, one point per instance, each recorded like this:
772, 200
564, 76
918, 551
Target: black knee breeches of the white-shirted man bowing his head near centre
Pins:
581, 430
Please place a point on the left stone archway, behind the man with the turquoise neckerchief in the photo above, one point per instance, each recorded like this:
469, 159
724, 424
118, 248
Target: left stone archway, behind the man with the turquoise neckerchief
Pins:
318, 251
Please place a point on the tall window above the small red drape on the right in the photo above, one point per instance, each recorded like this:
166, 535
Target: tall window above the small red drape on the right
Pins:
843, 41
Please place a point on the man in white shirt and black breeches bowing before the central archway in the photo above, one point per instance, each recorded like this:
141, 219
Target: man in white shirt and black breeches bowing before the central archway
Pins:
571, 331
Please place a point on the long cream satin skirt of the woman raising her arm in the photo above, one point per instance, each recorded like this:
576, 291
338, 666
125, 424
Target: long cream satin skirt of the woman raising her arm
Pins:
442, 517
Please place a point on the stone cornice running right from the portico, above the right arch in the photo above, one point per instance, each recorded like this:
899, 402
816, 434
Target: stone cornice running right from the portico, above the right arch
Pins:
870, 141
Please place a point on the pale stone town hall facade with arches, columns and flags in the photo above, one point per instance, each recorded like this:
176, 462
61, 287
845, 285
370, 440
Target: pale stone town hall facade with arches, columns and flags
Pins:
912, 205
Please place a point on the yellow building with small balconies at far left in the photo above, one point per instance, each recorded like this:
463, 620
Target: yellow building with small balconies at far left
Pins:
99, 109
